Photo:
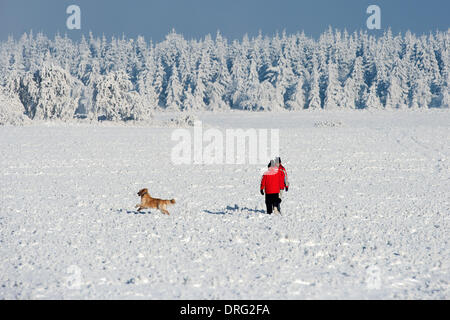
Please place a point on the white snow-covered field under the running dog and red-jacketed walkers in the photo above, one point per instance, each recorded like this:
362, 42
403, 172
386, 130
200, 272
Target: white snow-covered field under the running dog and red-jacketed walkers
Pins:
367, 214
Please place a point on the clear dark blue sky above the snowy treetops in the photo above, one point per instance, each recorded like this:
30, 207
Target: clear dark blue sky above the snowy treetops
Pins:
195, 18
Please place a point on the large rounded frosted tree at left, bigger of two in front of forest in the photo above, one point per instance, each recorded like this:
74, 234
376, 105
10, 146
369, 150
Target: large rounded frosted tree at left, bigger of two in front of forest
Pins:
49, 93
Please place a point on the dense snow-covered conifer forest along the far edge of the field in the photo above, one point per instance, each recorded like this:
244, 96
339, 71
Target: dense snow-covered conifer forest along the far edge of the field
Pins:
122, 79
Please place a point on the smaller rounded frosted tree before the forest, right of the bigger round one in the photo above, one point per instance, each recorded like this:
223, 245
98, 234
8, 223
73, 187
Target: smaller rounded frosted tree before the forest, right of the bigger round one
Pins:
115, 99
